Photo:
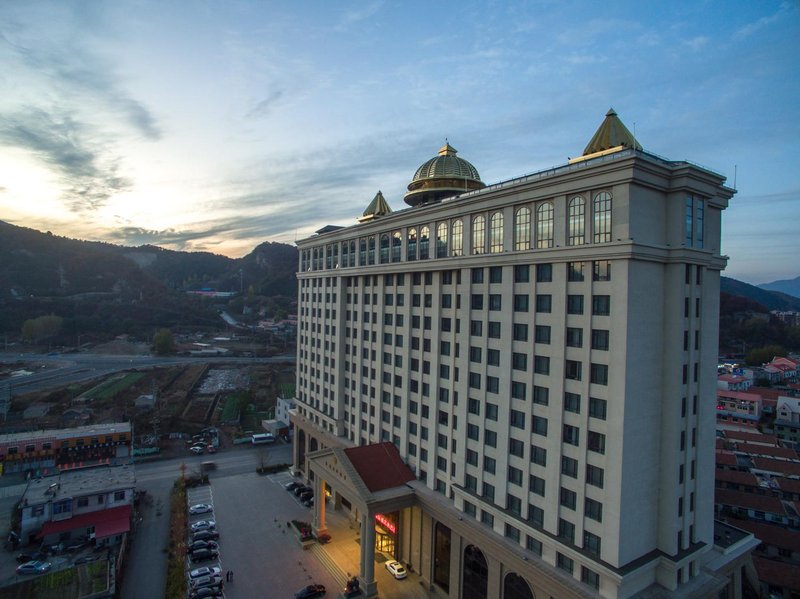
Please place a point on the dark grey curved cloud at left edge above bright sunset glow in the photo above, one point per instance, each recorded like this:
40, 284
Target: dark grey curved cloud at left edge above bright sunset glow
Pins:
89, 173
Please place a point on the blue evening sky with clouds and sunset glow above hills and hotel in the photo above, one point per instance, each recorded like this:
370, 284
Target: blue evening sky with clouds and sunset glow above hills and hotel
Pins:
215, 126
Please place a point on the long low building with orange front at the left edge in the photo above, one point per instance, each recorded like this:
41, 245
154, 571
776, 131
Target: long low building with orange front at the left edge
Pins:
47, 451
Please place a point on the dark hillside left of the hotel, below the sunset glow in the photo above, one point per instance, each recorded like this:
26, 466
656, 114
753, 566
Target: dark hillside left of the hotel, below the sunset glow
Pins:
102, 290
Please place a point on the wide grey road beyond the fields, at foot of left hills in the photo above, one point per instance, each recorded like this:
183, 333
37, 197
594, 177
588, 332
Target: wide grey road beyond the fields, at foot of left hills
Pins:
65, 369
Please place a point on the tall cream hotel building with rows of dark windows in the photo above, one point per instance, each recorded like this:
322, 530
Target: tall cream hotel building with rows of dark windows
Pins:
536, 350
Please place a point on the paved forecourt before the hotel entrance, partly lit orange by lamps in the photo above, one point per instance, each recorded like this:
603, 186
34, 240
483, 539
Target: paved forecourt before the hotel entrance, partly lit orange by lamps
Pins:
251, 514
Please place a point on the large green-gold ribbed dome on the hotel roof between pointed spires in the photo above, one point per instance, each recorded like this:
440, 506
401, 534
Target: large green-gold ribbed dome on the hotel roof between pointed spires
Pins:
442, 176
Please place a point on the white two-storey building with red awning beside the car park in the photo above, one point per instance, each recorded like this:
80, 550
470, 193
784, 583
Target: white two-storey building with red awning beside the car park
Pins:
92, 504
